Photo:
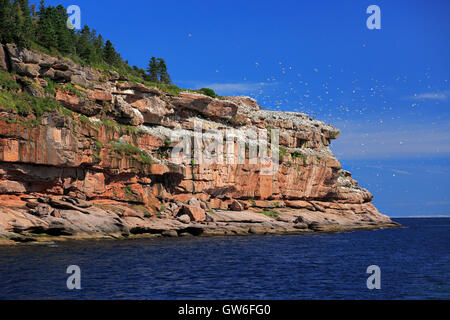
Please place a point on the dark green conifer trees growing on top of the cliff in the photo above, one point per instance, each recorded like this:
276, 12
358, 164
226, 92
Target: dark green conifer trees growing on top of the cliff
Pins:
46, 26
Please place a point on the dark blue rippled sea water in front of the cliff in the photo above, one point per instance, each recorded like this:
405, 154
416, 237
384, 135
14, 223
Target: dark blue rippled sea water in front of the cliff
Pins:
414, 263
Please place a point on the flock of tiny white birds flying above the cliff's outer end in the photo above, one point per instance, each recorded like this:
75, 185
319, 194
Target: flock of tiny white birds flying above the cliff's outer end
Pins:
340, 95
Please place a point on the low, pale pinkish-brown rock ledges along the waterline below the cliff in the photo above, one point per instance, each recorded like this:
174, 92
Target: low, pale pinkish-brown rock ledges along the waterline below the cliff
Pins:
62, 220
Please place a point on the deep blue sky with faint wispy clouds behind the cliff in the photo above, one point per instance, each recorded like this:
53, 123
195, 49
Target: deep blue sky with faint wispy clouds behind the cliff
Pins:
387, 90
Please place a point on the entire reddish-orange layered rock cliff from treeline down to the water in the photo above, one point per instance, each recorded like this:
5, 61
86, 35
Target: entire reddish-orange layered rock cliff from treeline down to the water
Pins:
103, 166
